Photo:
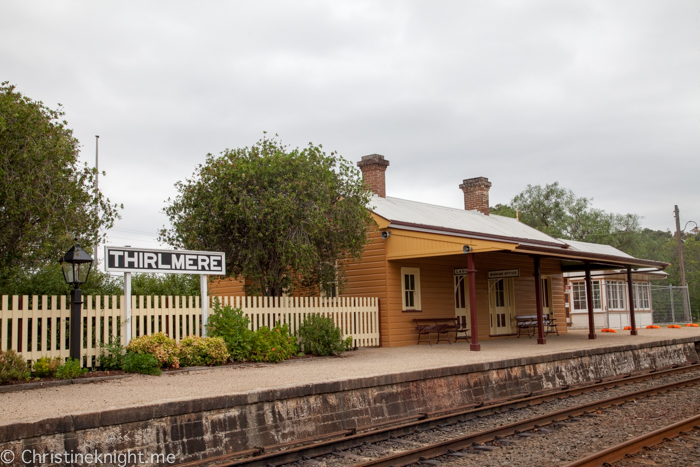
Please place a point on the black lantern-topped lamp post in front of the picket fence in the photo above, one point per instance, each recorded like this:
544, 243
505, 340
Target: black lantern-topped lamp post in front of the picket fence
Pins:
76, 265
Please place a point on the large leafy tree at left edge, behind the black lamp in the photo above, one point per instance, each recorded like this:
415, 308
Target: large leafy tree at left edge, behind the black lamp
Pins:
45, 197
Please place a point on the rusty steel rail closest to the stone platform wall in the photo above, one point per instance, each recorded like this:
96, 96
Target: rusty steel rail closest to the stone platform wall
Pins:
291, 451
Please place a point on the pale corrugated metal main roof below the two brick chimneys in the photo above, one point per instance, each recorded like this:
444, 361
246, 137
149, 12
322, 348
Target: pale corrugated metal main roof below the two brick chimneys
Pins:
430, 215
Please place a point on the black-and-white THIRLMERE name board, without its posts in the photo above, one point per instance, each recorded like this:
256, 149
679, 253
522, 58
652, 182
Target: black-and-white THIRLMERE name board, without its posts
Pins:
127, 259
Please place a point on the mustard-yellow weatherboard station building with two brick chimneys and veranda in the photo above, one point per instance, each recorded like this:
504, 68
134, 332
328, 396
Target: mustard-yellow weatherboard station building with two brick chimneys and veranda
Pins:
425, 261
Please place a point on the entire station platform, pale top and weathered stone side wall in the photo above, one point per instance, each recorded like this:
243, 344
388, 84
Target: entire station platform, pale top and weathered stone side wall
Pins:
217, 411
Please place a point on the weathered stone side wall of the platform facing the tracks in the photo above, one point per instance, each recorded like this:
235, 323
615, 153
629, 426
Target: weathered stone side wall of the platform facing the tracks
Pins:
194, 429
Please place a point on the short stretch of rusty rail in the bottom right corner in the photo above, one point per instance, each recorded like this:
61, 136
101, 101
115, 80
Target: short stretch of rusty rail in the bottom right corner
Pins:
634, 445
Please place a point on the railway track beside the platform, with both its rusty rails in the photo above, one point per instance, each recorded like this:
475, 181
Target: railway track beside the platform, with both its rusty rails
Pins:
339, 444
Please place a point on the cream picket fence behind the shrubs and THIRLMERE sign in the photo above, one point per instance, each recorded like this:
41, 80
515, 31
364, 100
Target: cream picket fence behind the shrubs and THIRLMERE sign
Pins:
39, 326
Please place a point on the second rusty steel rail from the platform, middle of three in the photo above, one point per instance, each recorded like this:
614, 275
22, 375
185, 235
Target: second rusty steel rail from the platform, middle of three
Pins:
461, 442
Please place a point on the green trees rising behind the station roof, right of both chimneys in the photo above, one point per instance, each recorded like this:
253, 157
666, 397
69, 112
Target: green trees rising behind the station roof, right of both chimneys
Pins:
558, 212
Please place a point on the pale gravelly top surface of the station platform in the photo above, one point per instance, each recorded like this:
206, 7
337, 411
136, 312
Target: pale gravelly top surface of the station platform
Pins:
141, 390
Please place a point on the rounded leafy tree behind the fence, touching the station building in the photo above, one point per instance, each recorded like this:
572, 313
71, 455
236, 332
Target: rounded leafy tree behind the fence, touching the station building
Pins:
285, 218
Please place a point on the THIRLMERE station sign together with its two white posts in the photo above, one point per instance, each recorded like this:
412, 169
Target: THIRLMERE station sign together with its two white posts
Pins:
128, 260
